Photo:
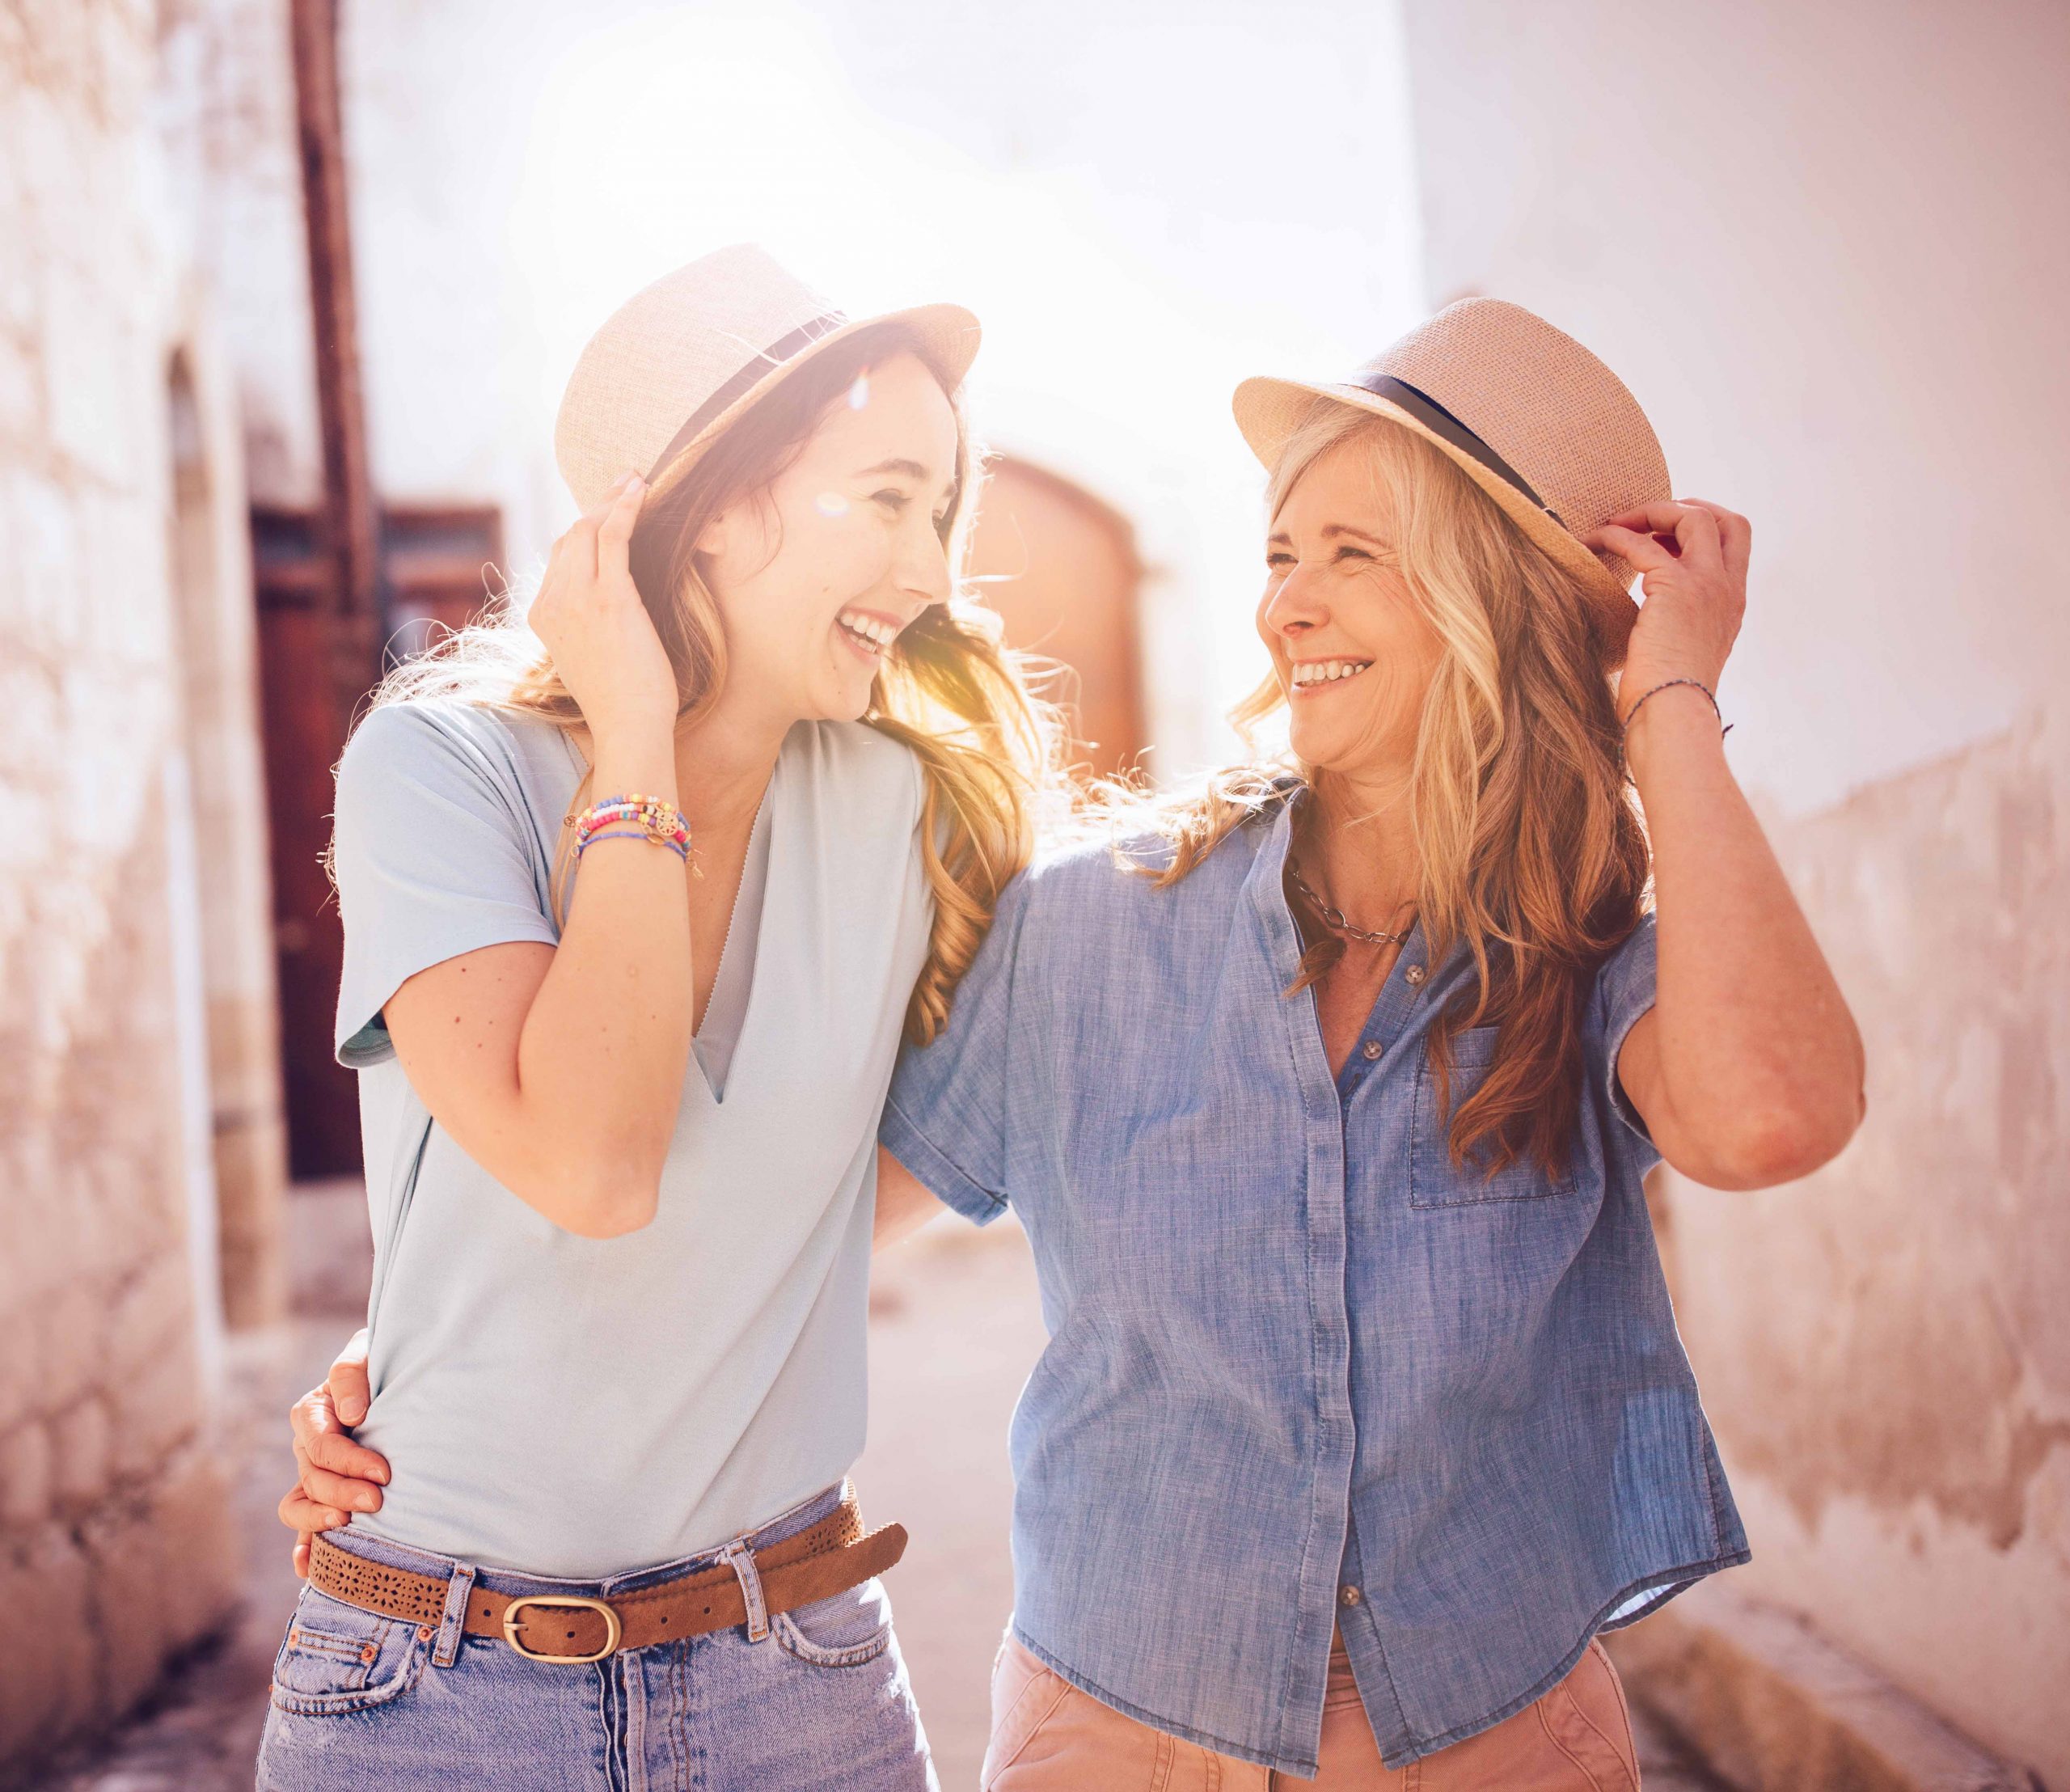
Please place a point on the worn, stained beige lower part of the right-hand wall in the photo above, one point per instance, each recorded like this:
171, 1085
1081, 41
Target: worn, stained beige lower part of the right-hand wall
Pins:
1887, 1346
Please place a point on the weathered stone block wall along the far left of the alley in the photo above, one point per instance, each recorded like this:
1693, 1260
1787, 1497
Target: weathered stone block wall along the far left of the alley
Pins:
113, 1543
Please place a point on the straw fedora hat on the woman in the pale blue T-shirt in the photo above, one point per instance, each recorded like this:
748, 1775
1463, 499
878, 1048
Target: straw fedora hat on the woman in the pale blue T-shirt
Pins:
674, 365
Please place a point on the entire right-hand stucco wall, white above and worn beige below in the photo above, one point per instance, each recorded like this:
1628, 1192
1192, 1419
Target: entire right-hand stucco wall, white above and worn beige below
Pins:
1827, 247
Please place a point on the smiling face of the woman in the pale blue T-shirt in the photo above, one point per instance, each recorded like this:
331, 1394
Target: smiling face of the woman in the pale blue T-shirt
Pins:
817, 574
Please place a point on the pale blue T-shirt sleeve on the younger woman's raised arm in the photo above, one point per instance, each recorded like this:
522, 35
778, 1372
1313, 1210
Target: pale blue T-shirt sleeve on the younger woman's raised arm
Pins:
432, 860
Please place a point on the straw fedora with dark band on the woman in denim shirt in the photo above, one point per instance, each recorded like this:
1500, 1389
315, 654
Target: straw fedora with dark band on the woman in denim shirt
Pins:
1537, 421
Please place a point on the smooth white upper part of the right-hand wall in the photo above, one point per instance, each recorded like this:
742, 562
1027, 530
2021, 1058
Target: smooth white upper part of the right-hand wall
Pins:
1829, 247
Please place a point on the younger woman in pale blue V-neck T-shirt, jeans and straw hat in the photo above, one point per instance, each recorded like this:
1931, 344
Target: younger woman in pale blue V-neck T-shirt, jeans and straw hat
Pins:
632, 889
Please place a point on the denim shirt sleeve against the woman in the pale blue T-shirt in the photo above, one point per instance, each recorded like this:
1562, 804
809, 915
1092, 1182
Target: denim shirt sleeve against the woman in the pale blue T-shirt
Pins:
947, 1112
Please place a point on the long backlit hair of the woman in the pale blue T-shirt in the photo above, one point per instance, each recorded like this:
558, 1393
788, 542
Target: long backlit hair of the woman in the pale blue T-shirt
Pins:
949, 688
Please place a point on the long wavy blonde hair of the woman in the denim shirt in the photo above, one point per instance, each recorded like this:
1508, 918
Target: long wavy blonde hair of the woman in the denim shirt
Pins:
1531, 847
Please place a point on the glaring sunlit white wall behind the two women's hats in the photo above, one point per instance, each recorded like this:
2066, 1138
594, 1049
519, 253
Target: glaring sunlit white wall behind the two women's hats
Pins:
1144, 204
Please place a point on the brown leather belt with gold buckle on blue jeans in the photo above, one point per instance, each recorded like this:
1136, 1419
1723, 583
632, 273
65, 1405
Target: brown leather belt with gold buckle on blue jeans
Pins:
566, 1627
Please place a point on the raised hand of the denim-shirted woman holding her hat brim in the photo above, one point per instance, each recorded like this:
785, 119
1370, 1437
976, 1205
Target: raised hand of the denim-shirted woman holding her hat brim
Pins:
1692, 562
